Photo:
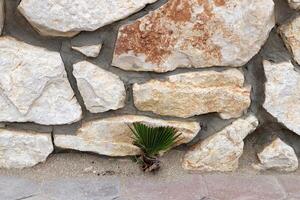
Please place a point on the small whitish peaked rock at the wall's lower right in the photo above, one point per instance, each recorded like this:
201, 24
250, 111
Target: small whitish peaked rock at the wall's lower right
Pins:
279, 156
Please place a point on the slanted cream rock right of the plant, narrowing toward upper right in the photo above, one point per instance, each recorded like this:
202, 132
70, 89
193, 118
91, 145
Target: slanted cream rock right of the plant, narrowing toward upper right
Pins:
221, 152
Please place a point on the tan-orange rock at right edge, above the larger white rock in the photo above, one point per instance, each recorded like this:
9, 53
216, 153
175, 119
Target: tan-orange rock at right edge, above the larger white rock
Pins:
290, 34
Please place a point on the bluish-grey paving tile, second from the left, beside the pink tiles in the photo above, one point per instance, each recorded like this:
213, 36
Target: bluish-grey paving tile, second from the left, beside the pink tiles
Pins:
81, 189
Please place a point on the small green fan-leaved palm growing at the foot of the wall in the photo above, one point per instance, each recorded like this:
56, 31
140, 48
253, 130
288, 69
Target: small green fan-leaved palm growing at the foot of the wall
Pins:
152, 141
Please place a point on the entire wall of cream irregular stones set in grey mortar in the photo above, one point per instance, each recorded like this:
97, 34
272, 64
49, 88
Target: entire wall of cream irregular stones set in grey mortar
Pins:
225, 73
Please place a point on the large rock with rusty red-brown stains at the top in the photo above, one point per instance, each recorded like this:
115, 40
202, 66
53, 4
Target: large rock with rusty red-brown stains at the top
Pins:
186, 33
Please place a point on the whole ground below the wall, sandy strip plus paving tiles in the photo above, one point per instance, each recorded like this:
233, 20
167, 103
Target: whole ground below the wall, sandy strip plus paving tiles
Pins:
78, 176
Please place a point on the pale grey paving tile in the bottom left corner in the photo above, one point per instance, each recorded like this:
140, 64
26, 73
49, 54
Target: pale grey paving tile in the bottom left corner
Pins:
12, 188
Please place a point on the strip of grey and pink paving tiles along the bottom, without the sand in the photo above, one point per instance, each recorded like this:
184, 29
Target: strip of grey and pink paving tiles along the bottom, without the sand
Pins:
191, 187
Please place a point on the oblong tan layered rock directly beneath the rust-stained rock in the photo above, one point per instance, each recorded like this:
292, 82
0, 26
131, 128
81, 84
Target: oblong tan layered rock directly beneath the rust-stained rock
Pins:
195, 93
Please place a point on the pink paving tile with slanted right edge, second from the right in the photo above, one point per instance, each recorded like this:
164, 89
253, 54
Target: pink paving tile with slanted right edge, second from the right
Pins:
238, 187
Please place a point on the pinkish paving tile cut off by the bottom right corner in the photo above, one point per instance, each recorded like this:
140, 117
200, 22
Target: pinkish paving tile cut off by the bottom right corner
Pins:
291, 185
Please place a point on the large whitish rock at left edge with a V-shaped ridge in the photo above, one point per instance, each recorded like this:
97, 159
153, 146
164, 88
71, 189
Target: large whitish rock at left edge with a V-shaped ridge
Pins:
34, 85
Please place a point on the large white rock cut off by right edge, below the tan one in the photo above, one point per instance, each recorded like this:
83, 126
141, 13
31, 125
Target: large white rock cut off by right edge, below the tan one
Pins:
283, 94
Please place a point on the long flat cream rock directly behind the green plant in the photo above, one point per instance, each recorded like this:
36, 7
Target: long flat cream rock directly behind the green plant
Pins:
113, 137
